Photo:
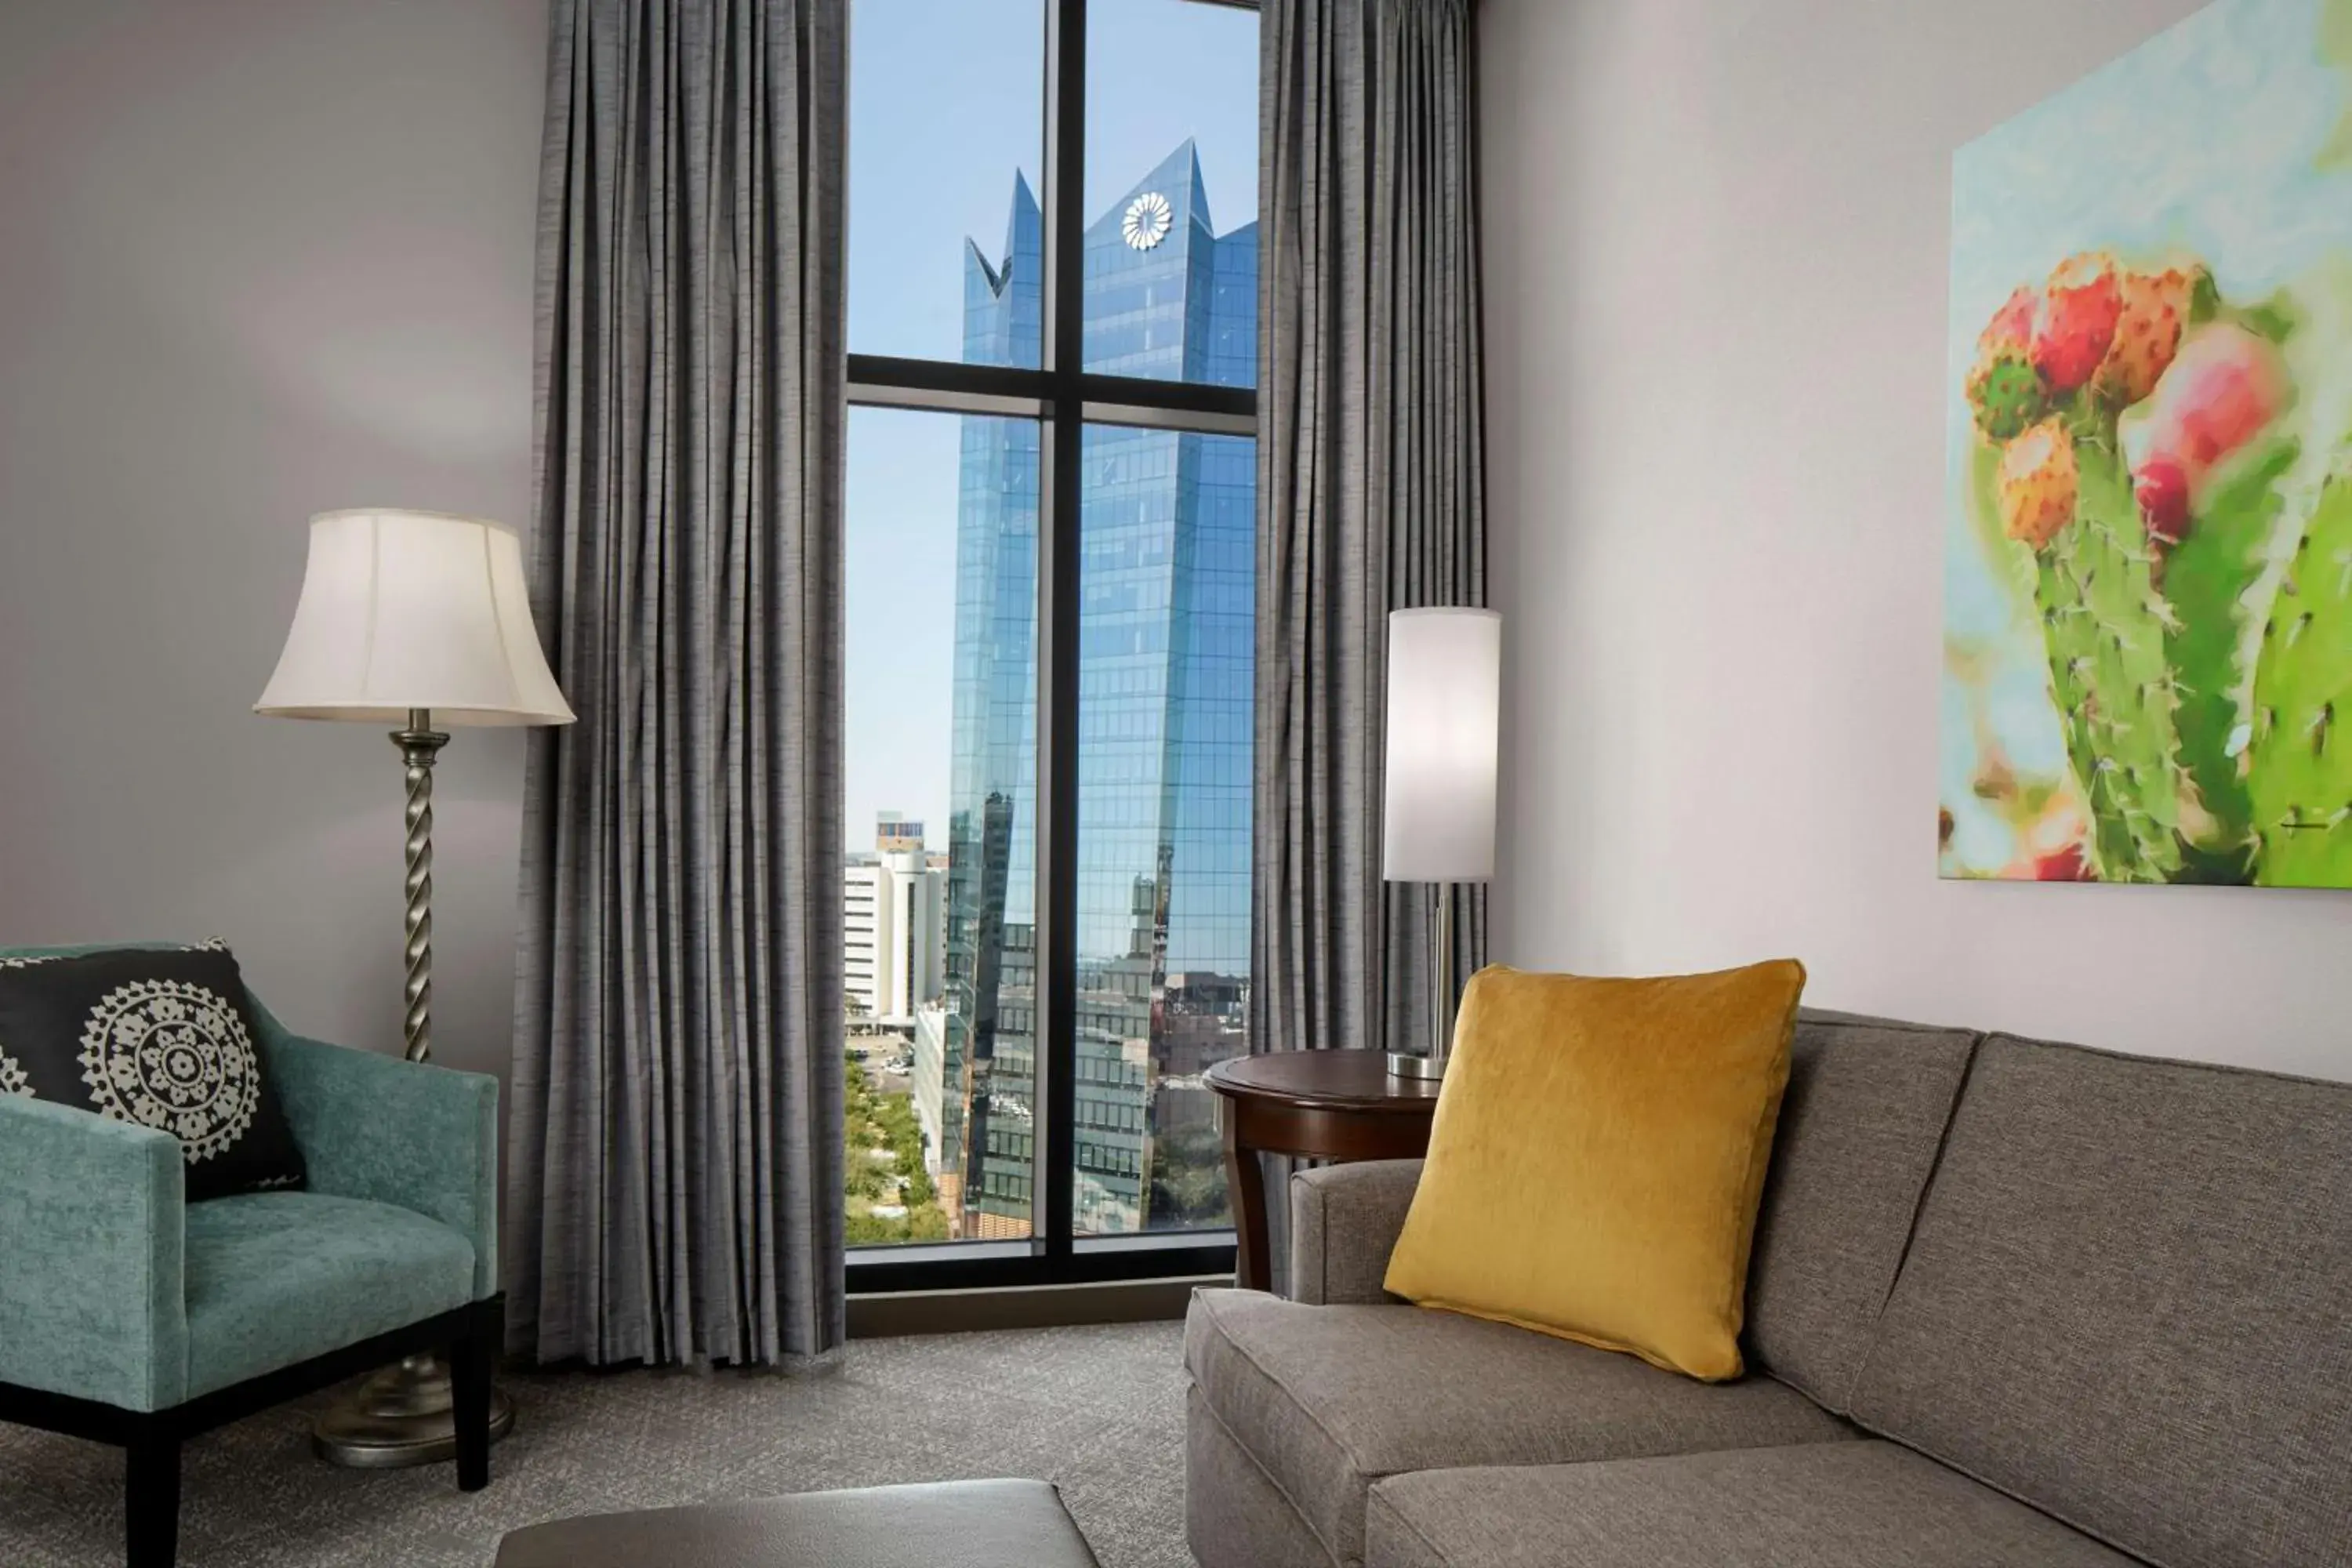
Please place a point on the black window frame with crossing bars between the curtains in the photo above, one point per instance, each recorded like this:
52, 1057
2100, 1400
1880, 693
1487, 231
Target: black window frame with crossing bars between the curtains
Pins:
1064, 398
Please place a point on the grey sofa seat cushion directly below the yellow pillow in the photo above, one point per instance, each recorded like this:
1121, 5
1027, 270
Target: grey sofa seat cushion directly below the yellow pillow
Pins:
1330, 1400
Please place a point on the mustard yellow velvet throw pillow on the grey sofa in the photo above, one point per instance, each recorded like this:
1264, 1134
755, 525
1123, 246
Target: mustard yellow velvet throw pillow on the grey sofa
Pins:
1598, 1160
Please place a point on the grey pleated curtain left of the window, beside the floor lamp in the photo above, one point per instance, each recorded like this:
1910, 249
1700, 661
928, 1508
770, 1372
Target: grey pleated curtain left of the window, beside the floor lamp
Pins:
676, 1153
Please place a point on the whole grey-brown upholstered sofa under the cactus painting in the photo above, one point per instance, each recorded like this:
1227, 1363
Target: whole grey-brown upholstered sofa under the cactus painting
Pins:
2014, 1306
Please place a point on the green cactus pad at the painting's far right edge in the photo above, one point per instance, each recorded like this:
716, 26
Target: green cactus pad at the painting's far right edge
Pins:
2301, 751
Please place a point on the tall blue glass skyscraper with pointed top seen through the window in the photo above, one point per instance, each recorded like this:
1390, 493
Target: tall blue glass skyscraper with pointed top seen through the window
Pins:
1168, 610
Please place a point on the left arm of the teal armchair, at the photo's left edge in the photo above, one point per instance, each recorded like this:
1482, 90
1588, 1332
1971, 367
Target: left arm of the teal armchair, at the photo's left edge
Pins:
93, 1238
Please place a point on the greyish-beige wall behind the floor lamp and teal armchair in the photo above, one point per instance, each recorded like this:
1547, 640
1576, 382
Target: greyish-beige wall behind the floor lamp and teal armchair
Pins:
258, 260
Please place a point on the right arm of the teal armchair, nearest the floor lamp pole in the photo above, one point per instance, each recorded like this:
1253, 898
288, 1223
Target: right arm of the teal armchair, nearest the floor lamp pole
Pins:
396, 1132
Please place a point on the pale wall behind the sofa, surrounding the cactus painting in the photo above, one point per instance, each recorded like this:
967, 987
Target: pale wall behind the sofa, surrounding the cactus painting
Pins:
1716, 243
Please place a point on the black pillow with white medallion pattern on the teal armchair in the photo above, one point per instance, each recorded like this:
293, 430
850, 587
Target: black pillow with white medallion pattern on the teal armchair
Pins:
154, 1036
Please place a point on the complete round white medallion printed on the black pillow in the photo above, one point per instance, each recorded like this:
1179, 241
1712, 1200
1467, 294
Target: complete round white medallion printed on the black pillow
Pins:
175, 1057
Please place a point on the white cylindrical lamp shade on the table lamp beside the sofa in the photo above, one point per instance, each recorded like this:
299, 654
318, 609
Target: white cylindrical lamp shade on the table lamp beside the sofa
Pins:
1445, 697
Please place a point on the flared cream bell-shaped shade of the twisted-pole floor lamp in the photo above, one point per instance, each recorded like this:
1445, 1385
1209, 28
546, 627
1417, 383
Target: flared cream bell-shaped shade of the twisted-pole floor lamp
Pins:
413, 610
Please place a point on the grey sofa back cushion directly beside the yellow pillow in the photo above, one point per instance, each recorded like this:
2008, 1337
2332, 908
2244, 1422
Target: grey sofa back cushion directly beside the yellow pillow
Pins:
1866, 1108
